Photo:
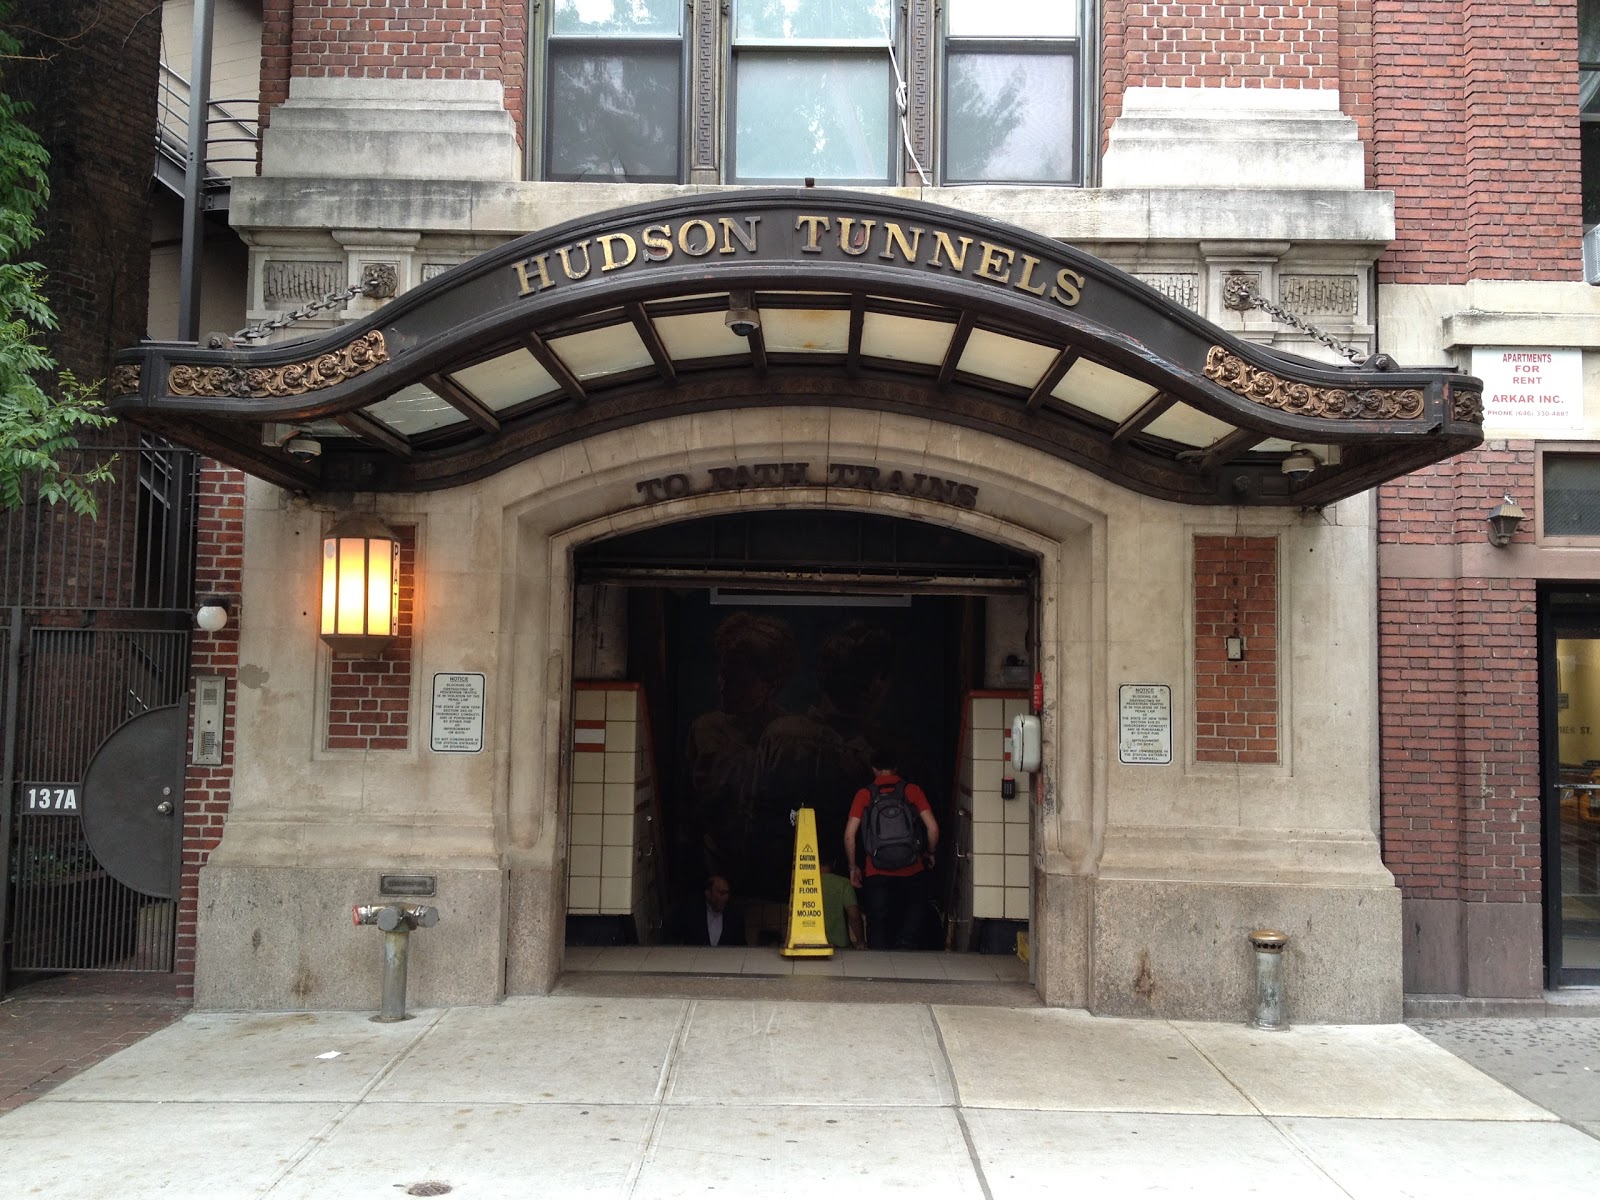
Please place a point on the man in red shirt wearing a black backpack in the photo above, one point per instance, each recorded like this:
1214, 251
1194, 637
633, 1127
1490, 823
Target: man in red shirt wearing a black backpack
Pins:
900, 836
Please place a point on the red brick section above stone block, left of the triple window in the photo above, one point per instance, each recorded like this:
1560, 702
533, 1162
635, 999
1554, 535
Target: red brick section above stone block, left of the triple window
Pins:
394, 39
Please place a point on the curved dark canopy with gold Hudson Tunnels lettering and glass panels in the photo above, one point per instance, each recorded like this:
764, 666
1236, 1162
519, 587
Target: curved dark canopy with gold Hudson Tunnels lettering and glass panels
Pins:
799, 297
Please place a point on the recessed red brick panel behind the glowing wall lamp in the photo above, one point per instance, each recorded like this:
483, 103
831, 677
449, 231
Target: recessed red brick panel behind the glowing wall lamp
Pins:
370, 698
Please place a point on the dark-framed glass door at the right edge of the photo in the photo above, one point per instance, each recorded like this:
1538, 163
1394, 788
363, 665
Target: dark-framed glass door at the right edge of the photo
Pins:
1572, 810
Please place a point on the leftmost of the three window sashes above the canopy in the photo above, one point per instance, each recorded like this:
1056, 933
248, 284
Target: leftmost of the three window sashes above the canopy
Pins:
615, 90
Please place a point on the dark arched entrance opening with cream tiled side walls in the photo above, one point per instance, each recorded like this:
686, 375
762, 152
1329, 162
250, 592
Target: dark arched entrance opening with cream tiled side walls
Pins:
735, 670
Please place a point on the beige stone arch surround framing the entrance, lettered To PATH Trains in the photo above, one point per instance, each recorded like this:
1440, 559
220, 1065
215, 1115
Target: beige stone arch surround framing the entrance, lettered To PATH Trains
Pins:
1028, 514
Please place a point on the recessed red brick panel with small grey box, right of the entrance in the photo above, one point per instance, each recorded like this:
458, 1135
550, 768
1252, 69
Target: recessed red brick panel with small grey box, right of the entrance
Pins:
1236, 700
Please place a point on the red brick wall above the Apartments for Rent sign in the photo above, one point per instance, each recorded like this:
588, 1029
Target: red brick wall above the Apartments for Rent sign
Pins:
1476, 134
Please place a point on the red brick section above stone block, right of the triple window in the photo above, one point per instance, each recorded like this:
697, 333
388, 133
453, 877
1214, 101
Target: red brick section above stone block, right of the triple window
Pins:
1214, 46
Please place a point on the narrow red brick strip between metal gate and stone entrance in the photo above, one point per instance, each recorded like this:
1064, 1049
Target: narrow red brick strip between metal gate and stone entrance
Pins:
220, 546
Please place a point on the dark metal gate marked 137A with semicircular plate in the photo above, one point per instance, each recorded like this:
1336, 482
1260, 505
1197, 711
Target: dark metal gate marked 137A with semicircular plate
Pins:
97, 642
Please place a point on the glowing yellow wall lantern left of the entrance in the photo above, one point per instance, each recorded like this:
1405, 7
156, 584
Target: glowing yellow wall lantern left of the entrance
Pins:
361, 586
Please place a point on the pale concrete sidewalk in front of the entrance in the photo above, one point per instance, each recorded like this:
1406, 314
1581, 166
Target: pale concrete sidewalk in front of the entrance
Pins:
638, 1097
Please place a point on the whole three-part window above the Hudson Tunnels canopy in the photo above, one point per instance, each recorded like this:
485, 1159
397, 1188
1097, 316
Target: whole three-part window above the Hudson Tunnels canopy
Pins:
842, 92
